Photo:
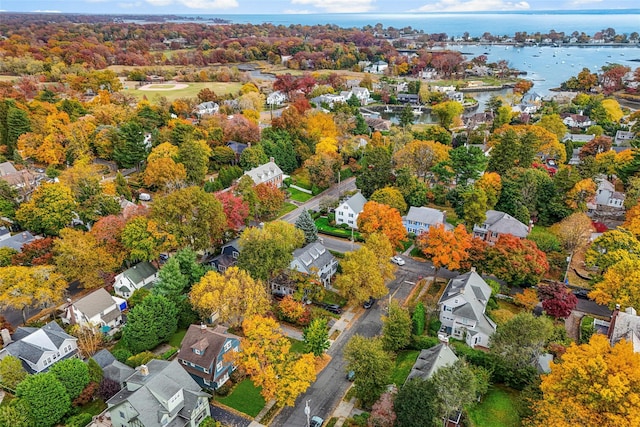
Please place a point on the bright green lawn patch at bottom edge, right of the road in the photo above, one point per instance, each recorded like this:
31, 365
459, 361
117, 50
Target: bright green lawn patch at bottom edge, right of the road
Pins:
497, 409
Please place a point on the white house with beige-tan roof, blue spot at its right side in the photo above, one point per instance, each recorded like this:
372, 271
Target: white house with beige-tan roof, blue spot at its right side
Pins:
98, 308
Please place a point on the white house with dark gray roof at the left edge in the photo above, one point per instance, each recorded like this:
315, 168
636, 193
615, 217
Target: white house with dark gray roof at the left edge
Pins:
39, 348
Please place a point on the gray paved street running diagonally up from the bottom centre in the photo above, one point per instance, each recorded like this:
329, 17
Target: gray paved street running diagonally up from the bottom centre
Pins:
331, 384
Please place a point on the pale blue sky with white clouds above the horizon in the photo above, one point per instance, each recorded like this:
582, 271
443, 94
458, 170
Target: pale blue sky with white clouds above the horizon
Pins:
301, 6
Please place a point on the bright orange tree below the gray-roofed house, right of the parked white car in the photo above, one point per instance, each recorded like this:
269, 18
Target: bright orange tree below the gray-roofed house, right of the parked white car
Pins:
446, 248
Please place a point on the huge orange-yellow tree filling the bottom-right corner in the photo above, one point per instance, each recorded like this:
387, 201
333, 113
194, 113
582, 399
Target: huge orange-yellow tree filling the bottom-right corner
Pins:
593, 385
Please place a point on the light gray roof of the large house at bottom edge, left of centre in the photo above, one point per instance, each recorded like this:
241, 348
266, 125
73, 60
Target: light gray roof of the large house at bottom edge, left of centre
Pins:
165, 379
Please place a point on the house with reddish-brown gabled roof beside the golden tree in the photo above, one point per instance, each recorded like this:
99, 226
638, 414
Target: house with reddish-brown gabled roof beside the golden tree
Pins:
202, 354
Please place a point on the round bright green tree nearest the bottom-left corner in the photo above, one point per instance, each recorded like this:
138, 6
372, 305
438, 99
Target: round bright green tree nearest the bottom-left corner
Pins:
46, 398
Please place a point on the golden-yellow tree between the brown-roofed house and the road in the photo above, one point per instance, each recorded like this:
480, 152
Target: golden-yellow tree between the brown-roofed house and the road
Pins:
267, 358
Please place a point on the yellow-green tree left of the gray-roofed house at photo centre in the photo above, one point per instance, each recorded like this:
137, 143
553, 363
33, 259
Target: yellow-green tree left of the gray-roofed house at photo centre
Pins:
268, 250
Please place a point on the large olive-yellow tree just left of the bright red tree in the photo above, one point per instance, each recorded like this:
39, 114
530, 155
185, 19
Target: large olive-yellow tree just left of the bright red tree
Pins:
194, 217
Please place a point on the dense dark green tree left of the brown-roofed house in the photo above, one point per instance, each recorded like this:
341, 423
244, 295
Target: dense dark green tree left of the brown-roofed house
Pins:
150, 323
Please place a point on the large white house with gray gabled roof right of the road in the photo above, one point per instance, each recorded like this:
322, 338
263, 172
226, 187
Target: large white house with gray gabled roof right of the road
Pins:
462, 310
